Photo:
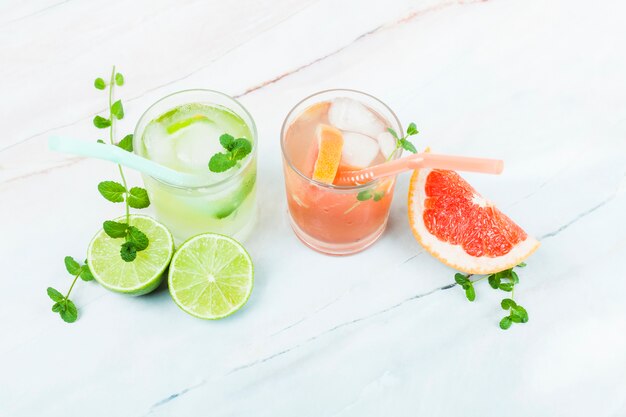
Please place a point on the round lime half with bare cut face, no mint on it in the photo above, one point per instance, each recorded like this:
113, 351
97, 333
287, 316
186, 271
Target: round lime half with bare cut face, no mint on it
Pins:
211, 276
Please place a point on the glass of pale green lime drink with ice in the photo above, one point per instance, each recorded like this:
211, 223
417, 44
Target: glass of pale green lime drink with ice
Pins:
182, 131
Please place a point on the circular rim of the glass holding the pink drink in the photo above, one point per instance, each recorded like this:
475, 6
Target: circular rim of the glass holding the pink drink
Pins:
323, 184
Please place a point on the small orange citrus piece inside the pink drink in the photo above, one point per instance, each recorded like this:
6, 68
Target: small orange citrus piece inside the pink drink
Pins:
330, 142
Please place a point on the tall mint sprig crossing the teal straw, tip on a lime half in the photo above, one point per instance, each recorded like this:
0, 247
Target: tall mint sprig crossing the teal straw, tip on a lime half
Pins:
136, 197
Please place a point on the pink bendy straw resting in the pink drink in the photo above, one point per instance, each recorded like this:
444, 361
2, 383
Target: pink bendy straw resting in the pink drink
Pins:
421, 160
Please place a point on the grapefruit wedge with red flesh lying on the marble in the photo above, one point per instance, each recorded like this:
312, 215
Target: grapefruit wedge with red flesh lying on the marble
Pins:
459, 227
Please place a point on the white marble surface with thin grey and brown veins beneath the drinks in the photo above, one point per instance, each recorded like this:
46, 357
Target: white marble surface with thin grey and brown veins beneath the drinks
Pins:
541, 84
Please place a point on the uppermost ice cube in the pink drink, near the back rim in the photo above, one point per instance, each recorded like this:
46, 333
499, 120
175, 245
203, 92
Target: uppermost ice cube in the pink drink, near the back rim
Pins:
350, 115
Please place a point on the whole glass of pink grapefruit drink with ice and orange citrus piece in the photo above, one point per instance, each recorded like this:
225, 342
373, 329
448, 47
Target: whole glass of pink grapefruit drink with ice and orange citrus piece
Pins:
325, 134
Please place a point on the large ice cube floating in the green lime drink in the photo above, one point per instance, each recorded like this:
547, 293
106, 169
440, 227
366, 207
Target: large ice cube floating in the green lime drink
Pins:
196, 144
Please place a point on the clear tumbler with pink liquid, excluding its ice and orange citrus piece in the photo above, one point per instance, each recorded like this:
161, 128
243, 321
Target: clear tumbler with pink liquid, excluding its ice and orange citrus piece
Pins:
332, 219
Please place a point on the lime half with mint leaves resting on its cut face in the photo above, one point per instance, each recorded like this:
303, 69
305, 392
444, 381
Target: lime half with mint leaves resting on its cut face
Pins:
140, 276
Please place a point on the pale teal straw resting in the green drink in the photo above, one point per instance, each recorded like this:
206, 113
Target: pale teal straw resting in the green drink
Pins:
128, 159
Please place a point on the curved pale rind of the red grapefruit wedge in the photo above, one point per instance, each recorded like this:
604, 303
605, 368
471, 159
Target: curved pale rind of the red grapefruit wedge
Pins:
453, 255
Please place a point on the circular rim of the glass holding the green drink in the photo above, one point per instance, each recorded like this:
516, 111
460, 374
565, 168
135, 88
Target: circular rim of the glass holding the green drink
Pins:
251, 125
